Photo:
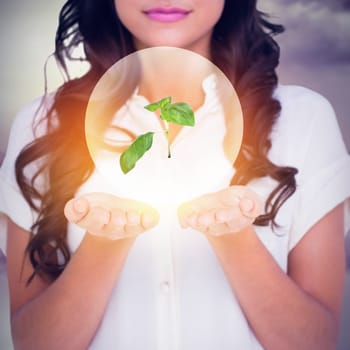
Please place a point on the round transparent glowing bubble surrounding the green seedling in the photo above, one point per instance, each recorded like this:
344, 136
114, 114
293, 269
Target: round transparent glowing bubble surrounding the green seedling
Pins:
202, 156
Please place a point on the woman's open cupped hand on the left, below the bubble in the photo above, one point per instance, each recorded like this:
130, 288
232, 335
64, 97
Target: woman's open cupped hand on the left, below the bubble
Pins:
111, 217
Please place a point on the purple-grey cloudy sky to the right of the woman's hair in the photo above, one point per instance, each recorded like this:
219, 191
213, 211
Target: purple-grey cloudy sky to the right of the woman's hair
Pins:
316, 49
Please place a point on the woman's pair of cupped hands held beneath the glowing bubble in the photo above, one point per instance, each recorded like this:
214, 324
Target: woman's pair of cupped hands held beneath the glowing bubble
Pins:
224, 212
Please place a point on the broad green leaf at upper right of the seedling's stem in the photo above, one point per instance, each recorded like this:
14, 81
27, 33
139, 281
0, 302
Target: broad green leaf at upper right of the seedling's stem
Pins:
179, 113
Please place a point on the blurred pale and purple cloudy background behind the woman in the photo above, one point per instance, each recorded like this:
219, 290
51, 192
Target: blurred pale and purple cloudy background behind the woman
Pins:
315, 53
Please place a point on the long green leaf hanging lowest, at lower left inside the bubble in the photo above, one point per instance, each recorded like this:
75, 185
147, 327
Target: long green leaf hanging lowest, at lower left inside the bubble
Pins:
135, 151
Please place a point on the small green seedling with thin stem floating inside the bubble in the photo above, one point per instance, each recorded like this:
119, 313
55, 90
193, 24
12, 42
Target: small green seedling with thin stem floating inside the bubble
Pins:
178, 113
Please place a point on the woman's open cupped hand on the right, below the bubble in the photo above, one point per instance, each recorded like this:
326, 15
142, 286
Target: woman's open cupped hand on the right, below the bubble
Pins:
223, 212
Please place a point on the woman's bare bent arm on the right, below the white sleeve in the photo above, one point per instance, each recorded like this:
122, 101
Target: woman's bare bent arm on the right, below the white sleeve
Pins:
298, 310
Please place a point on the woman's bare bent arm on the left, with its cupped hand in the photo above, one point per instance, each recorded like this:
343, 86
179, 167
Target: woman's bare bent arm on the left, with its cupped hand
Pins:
65, 313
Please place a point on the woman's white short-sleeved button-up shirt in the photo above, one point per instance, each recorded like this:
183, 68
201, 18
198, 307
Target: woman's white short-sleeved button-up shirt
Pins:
172, 292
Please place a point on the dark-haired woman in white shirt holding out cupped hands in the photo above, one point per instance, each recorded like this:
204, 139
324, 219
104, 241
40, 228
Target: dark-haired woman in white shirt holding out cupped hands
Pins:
218, 284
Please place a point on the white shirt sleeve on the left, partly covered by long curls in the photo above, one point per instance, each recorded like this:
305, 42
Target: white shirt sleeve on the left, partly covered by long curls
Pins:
12, 202
